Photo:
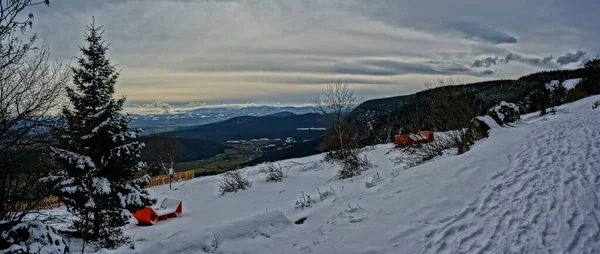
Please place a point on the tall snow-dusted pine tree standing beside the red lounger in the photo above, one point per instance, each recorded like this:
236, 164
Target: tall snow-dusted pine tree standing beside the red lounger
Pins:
98, 165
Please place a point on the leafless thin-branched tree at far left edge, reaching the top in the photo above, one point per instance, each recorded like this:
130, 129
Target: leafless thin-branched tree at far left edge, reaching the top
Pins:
30, 95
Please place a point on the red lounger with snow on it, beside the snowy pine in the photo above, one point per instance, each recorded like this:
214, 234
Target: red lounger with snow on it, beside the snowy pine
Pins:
168, 208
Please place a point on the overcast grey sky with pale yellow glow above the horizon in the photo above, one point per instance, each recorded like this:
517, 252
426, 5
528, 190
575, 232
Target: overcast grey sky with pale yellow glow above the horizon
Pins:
285, 51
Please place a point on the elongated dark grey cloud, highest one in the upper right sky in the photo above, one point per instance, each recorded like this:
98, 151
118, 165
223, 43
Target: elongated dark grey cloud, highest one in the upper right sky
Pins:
479, 32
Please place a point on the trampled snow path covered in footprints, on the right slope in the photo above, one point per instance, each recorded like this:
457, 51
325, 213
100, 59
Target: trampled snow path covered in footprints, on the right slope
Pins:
544, 200
